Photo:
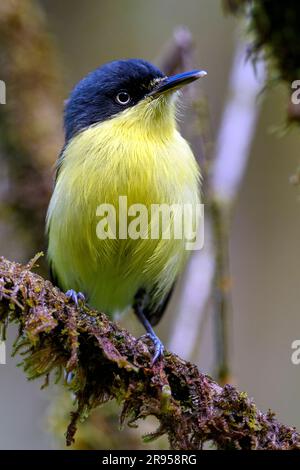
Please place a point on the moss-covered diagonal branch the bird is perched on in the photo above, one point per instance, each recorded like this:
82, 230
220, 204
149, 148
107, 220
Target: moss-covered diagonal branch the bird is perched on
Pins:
106, 362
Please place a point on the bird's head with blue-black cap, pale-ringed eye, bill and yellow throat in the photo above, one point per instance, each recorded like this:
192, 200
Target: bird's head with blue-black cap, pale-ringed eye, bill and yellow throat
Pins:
133, 90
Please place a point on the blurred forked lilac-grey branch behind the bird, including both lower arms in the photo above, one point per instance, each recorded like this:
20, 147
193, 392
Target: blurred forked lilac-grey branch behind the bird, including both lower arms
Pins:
222, 179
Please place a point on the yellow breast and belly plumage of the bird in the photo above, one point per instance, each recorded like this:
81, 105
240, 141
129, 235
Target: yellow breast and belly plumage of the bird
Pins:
150, 163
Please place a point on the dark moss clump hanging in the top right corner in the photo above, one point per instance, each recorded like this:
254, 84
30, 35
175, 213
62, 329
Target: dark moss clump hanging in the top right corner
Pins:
274, 35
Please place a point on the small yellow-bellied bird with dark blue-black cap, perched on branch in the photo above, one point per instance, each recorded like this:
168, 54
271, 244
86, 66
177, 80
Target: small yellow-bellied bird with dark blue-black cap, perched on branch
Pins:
121, 139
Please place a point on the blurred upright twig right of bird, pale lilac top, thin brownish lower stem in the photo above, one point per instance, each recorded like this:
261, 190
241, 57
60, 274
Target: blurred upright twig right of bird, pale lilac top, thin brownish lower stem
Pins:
231, 158
